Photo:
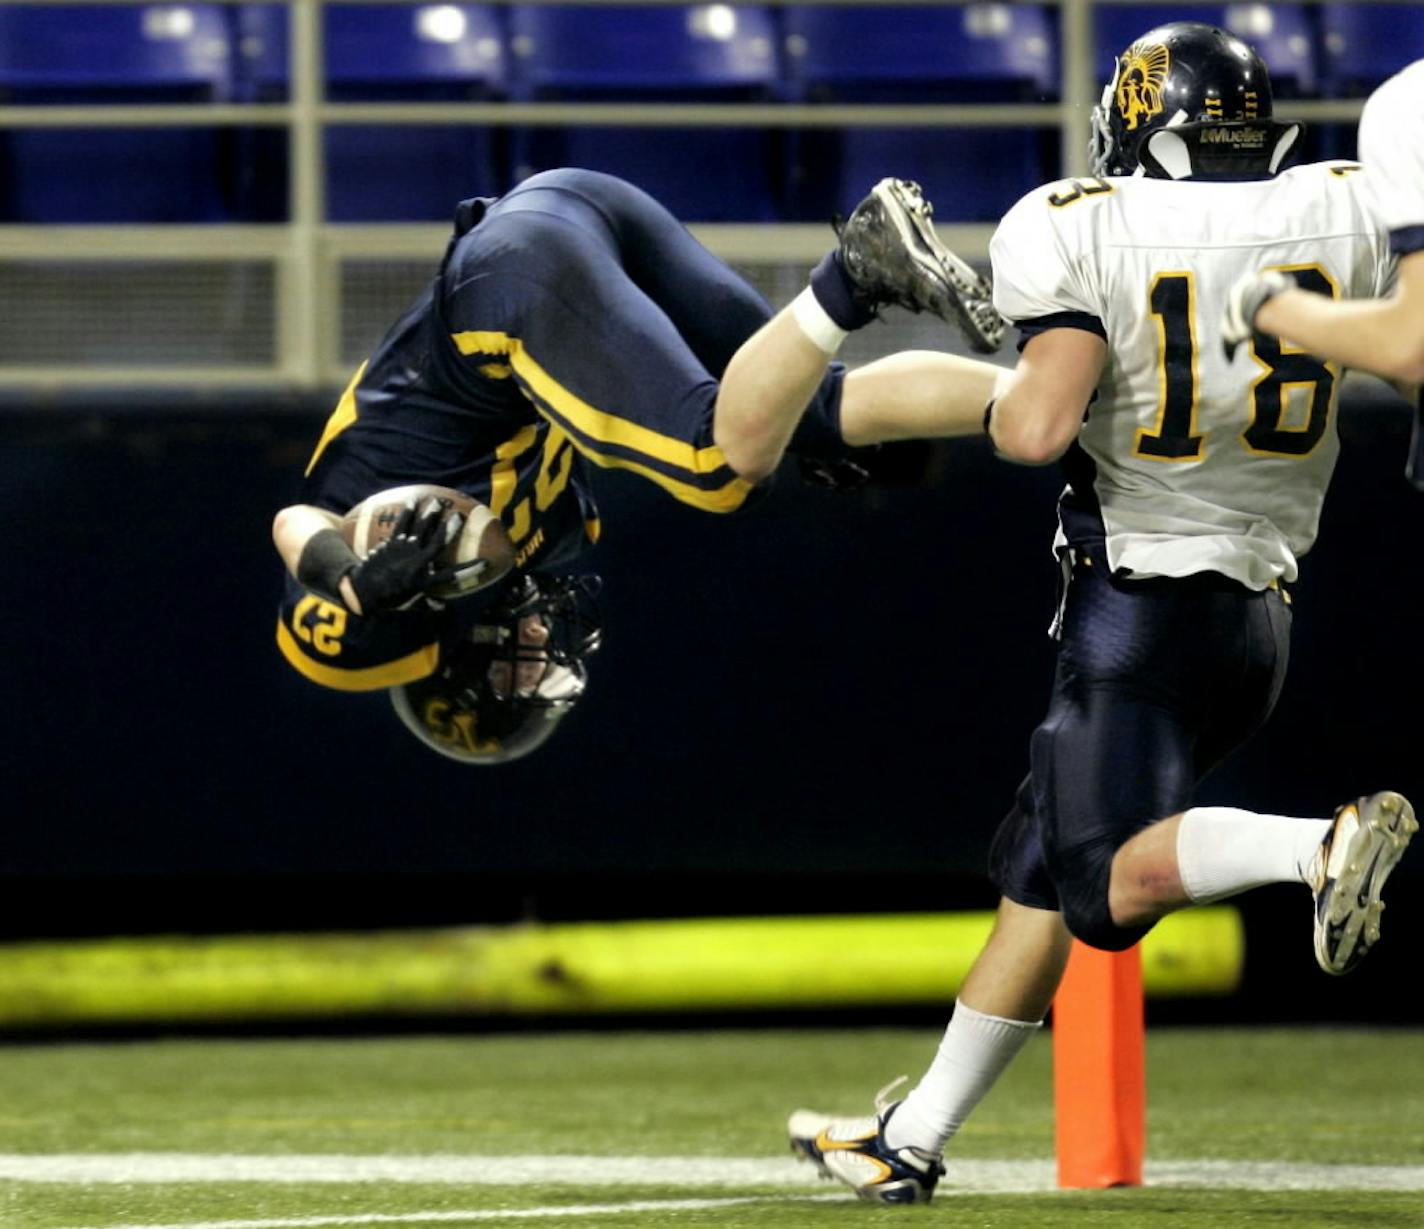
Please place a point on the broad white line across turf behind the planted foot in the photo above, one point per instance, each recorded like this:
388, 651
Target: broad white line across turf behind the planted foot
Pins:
721, 1173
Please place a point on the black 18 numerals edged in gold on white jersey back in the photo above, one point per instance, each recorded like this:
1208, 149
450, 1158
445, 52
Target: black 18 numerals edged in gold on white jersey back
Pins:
1291, 401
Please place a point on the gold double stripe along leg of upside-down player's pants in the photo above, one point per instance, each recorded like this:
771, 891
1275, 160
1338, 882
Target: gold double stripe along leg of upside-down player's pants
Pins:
609, 429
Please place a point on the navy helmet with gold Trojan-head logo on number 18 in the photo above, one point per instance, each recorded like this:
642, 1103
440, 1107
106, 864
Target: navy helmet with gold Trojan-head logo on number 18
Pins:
1190, 100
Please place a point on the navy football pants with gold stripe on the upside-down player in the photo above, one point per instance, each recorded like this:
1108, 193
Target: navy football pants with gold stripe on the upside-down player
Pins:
632, 320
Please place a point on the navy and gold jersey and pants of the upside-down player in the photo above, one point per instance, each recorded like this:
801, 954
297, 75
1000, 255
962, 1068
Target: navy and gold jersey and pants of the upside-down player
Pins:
575, 324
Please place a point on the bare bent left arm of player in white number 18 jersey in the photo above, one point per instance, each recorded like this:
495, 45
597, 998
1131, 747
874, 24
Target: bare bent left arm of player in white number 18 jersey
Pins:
1040, 412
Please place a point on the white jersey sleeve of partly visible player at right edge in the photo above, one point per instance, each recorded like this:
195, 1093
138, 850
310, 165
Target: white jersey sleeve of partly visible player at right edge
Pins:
1392, 147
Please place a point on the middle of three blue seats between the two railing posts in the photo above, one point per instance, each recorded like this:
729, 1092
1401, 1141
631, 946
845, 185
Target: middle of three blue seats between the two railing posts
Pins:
711, 53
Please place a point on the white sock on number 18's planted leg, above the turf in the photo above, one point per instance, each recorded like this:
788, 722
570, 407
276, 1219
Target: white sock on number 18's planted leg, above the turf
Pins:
973, 1055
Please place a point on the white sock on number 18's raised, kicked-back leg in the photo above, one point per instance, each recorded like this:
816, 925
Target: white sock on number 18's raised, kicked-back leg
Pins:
1223, 851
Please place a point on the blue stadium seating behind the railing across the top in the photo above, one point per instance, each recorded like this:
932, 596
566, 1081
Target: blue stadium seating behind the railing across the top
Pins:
874, 53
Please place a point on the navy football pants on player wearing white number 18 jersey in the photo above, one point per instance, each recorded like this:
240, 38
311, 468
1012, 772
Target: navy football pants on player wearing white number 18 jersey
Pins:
1157, 683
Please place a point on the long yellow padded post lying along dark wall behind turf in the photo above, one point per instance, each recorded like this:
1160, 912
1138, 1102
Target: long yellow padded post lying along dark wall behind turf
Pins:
556, 971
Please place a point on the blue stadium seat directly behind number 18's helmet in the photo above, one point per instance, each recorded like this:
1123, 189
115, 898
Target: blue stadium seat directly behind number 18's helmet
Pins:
1282, 35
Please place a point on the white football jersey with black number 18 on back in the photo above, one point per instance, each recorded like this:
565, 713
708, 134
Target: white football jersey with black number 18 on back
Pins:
1195, 462
